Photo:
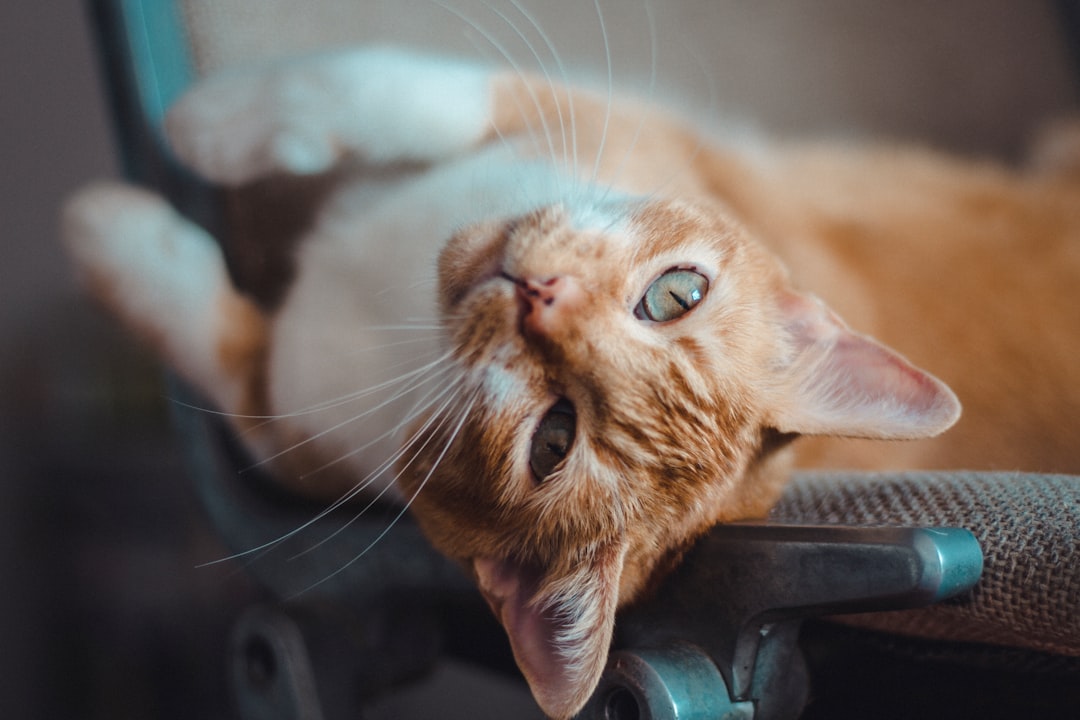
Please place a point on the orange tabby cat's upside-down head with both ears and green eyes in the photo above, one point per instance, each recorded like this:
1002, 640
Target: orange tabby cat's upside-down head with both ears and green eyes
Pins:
625, 374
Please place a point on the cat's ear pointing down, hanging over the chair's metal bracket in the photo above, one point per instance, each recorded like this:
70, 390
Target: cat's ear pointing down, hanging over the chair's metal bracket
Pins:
560, 629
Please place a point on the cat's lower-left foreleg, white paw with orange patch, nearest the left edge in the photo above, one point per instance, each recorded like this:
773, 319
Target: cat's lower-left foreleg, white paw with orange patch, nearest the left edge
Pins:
166, 279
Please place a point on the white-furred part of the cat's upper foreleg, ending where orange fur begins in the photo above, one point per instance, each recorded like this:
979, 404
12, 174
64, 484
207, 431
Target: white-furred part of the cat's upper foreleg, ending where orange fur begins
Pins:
304, 116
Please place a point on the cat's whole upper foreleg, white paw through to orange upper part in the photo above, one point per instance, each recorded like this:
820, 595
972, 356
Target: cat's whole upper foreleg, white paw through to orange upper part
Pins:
388, 106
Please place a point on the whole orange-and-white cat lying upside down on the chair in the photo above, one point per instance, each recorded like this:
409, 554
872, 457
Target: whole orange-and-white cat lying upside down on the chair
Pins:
614, 288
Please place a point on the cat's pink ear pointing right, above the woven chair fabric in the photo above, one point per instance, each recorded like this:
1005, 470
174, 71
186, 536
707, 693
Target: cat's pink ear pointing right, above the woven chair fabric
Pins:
839, 383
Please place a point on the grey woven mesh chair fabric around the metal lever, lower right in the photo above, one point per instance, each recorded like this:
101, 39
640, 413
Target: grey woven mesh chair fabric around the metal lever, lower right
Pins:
1029, 527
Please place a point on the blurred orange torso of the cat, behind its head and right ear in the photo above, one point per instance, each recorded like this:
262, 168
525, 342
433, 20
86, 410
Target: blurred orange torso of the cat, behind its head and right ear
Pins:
969, 268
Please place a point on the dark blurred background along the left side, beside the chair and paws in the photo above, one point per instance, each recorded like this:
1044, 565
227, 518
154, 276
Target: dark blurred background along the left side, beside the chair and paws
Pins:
103, 613
